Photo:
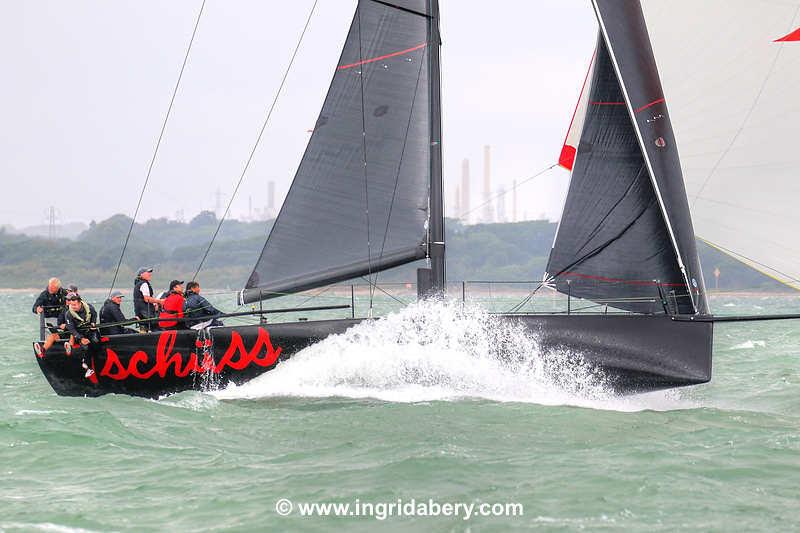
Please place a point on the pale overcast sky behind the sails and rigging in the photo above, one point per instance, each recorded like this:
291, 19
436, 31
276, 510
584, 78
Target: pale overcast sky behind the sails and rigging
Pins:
86, 84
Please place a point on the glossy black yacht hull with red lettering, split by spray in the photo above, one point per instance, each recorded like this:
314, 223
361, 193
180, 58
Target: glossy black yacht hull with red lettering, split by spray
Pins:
636, 353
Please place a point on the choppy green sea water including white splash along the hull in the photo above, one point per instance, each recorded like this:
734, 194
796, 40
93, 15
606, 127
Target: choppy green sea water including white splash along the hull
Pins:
362, 419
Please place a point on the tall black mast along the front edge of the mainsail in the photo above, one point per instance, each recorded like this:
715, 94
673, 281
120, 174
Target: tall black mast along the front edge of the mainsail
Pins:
436, 246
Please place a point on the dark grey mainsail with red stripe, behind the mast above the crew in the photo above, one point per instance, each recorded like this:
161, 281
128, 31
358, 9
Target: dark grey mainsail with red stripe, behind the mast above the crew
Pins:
359, 202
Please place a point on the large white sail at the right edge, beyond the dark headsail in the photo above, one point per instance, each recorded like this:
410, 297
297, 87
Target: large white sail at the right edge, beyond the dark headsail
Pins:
731, 76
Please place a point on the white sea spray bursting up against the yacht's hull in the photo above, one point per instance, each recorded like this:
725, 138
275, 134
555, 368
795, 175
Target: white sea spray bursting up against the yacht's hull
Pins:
428, 351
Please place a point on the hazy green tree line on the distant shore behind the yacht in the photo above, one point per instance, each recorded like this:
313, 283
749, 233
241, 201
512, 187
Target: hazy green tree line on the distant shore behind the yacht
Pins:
503, 252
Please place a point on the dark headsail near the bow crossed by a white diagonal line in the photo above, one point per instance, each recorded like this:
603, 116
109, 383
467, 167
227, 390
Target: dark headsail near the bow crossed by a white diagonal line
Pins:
626, 228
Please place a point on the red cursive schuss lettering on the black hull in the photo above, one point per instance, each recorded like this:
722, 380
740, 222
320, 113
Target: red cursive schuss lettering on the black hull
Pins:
166, 358
